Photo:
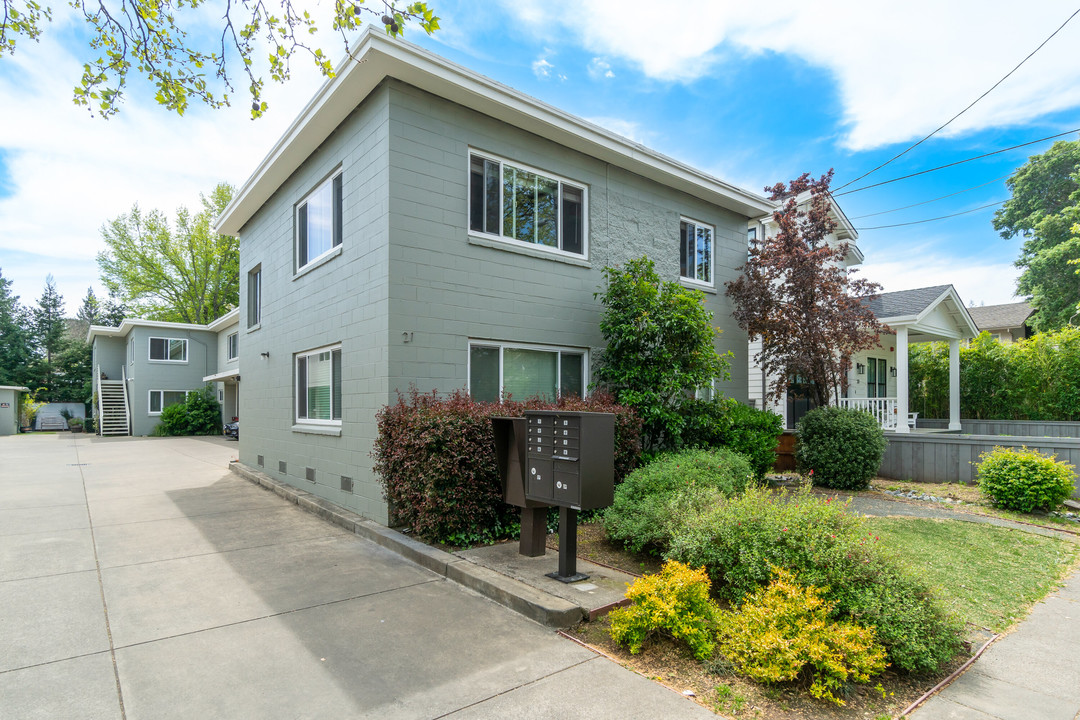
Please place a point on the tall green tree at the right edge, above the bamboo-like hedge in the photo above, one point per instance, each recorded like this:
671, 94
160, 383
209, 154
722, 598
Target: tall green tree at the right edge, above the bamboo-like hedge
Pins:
1045, 210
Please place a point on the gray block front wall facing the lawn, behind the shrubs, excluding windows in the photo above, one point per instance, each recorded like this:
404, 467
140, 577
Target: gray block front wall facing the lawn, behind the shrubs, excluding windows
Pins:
448, 288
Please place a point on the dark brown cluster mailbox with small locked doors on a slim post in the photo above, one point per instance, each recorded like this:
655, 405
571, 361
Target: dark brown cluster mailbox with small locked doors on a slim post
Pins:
571, 464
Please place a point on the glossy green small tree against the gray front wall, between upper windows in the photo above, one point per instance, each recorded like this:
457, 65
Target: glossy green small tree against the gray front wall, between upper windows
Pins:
660, 348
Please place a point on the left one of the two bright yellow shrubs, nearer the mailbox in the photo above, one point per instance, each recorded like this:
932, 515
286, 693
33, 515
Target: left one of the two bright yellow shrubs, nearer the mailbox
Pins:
674, 602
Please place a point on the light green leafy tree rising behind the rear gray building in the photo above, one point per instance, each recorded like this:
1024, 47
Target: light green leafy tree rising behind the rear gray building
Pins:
182, 273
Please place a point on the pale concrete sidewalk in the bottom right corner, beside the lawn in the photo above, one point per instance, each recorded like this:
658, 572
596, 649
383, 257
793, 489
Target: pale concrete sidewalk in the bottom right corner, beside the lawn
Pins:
1032, 674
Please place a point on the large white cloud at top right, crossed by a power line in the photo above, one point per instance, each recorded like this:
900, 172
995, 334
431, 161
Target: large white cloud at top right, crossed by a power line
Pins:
902, 70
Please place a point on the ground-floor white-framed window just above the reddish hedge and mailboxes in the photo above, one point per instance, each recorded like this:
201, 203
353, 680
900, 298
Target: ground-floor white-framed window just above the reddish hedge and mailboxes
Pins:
523, 372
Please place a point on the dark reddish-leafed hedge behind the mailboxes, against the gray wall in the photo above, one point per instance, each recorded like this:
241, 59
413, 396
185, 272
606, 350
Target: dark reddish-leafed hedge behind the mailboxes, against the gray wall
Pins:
436, 458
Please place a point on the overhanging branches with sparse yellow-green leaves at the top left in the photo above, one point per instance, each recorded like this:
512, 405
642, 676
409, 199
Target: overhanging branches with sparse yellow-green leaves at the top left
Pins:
165, 42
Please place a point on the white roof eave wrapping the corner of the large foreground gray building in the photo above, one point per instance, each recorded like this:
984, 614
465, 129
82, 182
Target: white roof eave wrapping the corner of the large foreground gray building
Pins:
380, 58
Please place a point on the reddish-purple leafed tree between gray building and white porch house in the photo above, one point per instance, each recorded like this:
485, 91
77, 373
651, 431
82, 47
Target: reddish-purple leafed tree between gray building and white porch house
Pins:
798, 296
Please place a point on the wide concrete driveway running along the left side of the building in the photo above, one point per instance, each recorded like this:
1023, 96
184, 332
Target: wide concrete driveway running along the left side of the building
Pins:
141, 579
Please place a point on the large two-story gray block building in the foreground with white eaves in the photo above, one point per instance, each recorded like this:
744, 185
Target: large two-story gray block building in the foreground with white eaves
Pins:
421, 225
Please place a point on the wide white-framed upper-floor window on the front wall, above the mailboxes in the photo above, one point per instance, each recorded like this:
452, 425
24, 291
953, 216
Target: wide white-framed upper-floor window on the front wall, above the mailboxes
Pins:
521, 205
